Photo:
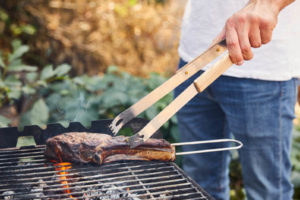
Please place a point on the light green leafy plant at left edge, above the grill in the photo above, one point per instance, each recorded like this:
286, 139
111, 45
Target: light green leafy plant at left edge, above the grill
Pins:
19, 80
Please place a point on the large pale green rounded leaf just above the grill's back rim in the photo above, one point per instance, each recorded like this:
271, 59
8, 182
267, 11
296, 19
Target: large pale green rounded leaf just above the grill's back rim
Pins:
39, 114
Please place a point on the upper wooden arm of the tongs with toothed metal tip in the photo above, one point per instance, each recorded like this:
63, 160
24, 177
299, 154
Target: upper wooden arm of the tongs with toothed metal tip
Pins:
181, 75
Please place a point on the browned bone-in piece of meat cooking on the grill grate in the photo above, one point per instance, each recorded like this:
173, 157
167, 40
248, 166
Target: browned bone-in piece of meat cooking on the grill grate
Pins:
102, 148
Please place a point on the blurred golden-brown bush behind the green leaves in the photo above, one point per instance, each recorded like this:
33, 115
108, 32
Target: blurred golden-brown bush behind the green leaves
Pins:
139, 36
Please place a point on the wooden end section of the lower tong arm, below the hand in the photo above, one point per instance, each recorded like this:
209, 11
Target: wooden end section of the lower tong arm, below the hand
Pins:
211, 74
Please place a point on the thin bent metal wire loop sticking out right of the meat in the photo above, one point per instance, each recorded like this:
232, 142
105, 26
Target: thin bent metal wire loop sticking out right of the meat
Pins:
239, 145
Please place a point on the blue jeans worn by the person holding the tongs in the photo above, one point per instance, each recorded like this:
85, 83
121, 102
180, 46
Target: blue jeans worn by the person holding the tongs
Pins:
258, 113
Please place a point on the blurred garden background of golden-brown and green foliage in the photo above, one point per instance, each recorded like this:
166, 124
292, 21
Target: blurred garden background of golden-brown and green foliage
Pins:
83, 60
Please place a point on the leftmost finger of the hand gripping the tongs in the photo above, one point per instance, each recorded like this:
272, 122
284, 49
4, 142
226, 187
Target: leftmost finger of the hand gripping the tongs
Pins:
233, 45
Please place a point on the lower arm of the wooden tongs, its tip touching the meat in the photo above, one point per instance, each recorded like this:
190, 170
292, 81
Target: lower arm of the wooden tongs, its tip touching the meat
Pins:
200, 84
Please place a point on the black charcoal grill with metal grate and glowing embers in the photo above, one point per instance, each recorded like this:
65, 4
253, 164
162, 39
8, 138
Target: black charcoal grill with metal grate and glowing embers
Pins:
26, 174
